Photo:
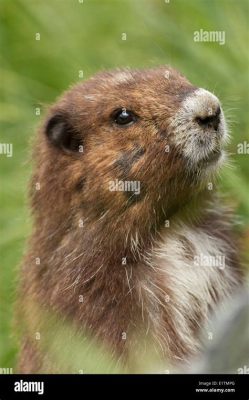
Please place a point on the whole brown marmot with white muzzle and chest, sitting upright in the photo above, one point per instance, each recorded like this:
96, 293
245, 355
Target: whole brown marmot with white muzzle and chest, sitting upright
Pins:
126, 216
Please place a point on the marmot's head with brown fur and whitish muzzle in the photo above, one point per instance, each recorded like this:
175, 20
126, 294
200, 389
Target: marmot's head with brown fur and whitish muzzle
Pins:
136, 143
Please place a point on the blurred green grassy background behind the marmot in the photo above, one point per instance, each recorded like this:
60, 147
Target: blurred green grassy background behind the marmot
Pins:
86, 36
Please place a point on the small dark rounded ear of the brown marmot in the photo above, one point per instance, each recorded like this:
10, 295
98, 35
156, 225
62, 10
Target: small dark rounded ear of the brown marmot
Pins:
61, 134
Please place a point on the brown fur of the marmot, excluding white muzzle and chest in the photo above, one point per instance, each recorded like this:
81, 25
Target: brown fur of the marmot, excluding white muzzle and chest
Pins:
87, 260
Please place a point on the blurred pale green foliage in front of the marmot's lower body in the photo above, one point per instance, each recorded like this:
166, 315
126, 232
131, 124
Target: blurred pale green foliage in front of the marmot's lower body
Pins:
82, 352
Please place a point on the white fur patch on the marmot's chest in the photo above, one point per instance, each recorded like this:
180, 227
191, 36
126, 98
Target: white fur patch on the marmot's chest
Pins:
197, 274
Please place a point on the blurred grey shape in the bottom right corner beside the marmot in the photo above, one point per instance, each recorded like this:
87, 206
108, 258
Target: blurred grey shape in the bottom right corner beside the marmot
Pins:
226, 351
